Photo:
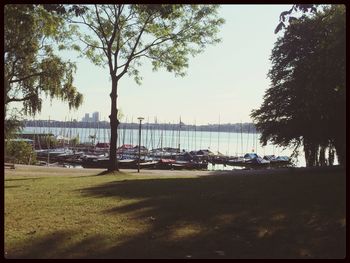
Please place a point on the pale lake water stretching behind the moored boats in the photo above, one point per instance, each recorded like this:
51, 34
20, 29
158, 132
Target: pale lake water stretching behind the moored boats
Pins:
228, 143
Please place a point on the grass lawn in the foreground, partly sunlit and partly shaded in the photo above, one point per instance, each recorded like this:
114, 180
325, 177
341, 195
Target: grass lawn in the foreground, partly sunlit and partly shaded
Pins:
76, 213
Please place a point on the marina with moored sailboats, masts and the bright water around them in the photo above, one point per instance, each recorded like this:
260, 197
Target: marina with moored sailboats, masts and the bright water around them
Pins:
174, 149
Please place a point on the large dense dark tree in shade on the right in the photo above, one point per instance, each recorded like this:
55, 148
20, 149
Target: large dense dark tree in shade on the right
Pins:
306, 101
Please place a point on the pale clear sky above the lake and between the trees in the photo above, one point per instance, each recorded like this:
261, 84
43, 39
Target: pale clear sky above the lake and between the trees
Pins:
223, 84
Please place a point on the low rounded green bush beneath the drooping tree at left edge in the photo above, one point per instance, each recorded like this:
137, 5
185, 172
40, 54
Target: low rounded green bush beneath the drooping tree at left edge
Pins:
20, 151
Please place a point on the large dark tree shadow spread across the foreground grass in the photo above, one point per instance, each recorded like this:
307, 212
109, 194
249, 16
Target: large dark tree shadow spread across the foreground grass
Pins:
267, 216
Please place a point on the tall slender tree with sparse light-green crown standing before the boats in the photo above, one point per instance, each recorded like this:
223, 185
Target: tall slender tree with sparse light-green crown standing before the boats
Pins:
123, 36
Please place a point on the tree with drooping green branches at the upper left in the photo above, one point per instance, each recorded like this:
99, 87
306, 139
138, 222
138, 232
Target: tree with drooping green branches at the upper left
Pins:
31, 66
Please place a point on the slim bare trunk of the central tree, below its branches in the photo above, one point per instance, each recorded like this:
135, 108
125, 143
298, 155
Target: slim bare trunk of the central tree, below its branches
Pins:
113, 164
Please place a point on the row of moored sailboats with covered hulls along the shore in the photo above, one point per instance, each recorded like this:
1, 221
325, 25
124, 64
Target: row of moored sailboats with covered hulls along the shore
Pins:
162, 158
